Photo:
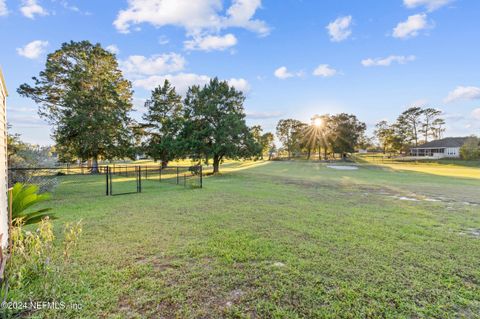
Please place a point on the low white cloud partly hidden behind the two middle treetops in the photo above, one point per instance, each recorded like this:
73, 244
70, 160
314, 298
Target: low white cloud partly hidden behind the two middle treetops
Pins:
182, 81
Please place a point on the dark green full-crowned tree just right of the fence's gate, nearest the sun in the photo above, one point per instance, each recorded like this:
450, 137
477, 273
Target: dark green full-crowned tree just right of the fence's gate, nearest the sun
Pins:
215, 124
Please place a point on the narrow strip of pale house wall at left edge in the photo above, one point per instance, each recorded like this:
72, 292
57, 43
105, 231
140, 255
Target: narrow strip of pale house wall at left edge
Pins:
3, 163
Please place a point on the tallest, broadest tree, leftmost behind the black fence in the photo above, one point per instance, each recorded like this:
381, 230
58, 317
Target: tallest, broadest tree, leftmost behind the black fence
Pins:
83, 94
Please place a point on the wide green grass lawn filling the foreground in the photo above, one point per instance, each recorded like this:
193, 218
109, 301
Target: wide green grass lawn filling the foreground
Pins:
277, 240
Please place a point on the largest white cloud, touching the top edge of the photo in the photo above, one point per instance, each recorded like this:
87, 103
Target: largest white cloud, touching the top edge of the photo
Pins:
195, 16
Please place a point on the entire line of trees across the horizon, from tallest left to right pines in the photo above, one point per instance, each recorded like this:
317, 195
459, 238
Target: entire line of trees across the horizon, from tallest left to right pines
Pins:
86, 99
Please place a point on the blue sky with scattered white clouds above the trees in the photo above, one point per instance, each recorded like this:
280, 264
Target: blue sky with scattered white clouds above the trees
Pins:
292, 58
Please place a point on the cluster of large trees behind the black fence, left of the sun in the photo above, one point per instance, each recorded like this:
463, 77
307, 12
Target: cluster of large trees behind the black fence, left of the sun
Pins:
84, 96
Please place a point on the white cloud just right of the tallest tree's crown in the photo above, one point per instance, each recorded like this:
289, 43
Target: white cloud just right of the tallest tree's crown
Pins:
138, 65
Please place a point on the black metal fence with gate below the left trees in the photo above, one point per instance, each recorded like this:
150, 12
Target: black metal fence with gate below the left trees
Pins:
107, 179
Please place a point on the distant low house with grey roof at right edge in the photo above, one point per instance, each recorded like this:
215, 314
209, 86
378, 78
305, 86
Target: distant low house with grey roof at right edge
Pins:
446, 147
